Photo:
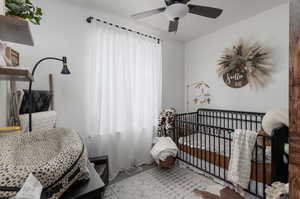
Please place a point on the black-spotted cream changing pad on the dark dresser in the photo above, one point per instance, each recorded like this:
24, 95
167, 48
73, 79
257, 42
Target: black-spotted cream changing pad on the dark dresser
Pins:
57, 158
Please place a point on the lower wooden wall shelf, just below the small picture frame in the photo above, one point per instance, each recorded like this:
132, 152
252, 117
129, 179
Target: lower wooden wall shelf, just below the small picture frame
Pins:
15, 73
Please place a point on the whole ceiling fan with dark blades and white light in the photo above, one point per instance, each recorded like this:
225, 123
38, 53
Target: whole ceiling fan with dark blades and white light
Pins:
177, 9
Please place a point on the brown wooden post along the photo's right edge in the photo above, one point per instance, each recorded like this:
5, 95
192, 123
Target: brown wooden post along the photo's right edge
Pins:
294, 128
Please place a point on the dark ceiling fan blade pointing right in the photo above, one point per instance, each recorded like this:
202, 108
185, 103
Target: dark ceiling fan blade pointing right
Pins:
205, 11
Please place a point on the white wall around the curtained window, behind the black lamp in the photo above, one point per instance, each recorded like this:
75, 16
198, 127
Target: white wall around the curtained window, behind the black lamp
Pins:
63, 32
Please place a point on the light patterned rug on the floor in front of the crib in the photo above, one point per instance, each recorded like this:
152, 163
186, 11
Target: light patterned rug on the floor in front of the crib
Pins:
175, 183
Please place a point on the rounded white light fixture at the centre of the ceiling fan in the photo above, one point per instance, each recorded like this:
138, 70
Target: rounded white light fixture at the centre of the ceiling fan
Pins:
177, 10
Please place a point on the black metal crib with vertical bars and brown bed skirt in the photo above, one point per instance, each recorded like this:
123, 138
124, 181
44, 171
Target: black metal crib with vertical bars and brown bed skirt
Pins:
204, 142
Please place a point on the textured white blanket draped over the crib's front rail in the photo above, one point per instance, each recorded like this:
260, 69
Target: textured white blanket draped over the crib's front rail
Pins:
239, 170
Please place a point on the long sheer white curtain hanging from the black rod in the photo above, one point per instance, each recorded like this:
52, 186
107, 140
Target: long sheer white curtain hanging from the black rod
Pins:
124, 95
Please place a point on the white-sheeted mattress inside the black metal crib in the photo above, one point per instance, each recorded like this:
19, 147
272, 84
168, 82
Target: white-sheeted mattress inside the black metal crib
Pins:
219, 145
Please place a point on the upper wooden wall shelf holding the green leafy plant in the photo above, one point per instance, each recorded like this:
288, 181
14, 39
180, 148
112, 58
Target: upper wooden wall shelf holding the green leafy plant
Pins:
16, 30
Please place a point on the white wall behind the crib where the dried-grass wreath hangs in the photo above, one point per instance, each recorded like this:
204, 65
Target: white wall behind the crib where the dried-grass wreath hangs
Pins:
271, 28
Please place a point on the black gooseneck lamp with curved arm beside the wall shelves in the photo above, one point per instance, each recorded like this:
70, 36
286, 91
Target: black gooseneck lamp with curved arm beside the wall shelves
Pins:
65, 71
